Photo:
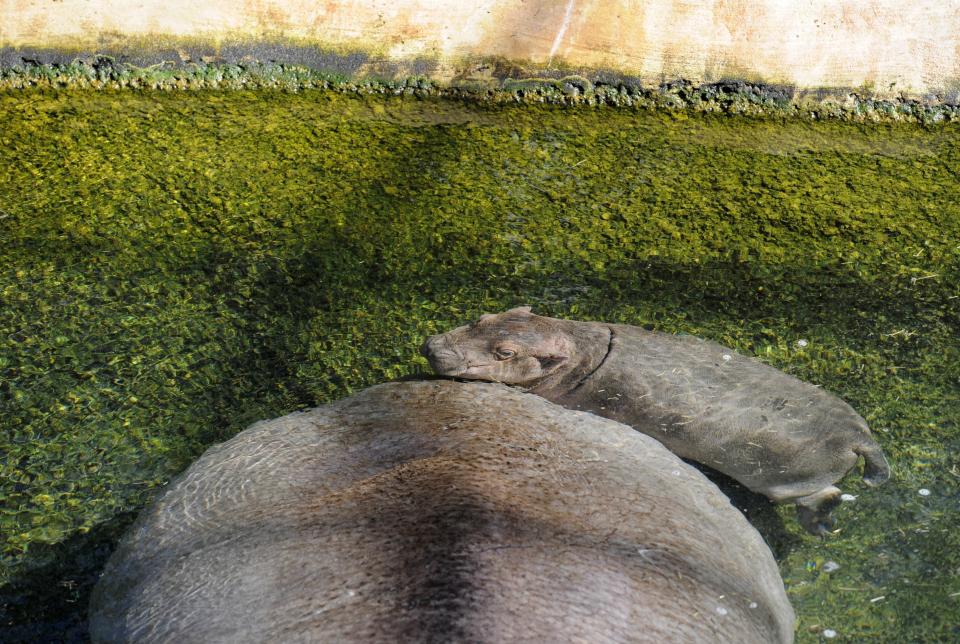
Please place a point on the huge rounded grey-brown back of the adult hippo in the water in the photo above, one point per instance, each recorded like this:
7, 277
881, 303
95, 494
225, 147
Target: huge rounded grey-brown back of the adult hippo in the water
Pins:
441, 511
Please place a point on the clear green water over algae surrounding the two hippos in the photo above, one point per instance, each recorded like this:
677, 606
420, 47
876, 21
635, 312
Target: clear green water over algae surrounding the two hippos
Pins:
176, 266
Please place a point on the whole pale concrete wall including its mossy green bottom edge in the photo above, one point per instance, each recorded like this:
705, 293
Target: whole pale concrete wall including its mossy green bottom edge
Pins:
874, 59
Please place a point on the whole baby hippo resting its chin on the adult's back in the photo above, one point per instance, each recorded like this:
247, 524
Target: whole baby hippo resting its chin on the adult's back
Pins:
779, 436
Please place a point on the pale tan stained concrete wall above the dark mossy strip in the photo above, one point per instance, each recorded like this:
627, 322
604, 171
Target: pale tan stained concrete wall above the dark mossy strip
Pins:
878, 48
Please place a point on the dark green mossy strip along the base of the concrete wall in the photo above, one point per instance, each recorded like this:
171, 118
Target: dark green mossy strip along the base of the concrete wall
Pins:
503, 83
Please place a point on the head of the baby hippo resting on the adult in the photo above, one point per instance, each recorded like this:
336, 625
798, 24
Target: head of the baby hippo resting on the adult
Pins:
515, 347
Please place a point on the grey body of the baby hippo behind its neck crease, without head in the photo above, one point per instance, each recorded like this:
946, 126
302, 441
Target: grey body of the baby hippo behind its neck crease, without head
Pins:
778, 435
